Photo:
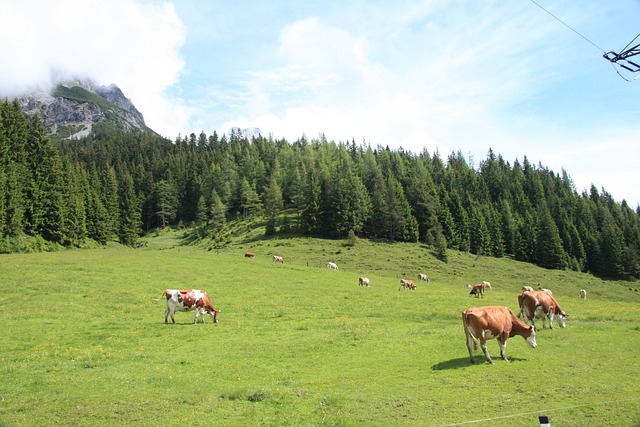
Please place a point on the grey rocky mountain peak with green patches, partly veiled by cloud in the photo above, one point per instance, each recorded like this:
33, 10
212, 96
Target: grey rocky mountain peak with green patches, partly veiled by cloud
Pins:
71, 110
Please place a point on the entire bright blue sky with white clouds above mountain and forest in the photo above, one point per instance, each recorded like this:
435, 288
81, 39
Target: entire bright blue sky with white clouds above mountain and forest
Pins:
521, 78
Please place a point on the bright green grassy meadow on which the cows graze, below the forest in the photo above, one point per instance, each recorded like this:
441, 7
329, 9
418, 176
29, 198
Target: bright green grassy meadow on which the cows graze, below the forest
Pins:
85, 342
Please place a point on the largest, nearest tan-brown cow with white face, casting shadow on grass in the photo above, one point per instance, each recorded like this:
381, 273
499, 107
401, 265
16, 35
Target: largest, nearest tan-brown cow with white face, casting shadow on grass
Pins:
485, 323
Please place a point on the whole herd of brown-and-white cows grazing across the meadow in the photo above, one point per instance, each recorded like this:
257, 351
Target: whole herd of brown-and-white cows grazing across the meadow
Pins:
480, 323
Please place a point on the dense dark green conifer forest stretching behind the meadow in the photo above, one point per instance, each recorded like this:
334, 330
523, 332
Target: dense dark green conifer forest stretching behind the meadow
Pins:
115, 186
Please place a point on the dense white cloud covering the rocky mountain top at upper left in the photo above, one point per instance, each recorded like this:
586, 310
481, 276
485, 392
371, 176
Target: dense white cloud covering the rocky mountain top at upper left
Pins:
131, 43
